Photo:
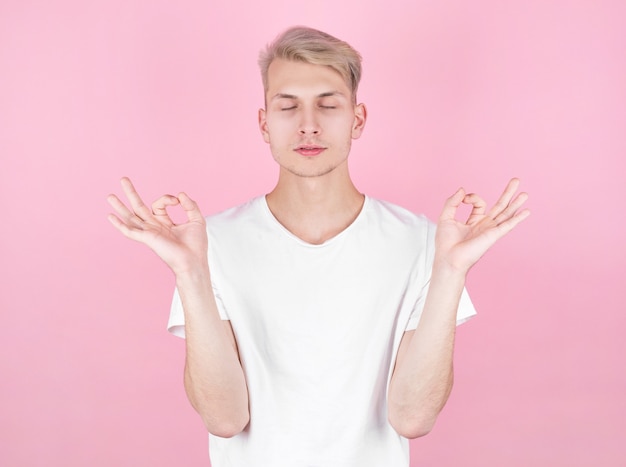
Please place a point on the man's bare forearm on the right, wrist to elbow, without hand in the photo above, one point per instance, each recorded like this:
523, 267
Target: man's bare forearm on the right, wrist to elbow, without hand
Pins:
423, 376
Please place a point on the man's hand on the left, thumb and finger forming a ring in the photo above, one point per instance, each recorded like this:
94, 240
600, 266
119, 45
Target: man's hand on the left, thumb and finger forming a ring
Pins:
183, 247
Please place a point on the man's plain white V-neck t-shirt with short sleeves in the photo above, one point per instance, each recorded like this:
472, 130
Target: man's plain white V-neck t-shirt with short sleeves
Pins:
318, 328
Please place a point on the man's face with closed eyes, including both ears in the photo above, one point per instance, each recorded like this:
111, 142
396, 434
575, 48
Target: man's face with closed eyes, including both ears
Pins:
310, 118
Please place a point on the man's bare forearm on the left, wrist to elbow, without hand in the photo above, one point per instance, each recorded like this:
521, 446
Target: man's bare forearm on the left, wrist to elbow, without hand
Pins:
214, 379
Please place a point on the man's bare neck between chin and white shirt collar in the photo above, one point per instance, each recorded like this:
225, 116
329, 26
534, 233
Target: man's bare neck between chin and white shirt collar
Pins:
315, 209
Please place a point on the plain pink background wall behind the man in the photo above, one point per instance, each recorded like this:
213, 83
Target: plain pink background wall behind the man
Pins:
458, 92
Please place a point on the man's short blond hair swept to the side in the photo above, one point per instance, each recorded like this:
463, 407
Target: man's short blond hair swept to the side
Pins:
303, 44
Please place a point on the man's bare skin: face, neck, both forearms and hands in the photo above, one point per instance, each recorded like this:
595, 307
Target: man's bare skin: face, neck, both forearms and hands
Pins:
309, 123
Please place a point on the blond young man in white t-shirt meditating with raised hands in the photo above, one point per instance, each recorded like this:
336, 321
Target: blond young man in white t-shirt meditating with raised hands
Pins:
319, 322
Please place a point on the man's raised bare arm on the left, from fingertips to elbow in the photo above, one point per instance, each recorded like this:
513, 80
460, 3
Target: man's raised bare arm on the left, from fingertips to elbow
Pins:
214, 379
